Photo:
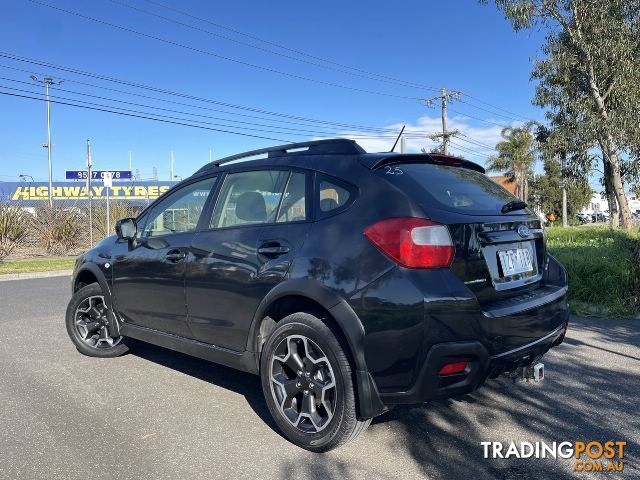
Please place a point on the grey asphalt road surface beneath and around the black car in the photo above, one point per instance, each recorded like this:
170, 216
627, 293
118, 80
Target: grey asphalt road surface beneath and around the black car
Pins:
156, 414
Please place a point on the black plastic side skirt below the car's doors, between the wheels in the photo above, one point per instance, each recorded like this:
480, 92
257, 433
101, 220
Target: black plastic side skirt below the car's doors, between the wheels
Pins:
244, 361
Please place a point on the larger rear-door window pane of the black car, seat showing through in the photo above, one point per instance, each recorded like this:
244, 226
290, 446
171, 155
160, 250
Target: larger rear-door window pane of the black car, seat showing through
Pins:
249, 198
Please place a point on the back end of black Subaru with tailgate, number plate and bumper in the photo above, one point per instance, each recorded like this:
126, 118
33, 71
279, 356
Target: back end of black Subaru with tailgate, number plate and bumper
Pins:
494, 299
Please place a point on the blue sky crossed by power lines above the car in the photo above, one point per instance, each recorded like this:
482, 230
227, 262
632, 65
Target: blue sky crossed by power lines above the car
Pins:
457, 44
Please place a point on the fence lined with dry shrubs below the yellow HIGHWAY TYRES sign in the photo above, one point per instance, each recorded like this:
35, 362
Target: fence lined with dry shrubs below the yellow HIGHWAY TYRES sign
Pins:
33, 228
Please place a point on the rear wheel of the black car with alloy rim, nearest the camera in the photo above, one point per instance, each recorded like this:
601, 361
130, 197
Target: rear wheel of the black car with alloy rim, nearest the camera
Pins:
307, 384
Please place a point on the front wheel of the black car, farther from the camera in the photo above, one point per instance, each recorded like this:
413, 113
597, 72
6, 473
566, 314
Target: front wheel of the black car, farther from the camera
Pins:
87, 324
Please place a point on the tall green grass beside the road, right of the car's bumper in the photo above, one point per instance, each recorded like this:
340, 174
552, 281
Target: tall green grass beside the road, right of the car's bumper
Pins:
603, 266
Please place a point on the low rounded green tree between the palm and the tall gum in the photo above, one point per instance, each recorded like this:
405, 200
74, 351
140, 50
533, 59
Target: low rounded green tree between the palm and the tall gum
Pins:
546, 190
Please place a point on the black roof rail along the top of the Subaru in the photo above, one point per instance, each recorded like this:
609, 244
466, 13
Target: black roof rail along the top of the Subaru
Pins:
333, 146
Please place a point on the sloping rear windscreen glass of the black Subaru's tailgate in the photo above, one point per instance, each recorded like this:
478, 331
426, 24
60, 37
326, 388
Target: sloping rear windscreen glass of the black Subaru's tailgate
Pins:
451, 188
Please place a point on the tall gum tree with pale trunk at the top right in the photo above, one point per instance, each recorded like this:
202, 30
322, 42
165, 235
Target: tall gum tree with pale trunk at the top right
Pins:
590, 78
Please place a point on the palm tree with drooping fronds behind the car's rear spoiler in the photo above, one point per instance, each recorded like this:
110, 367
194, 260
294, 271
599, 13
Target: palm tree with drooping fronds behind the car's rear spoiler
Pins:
516, 156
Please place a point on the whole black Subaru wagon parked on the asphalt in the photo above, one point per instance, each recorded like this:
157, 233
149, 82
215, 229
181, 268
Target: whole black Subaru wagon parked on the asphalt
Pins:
349, 281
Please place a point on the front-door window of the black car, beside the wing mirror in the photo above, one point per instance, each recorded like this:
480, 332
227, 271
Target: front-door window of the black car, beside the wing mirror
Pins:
180, 210
